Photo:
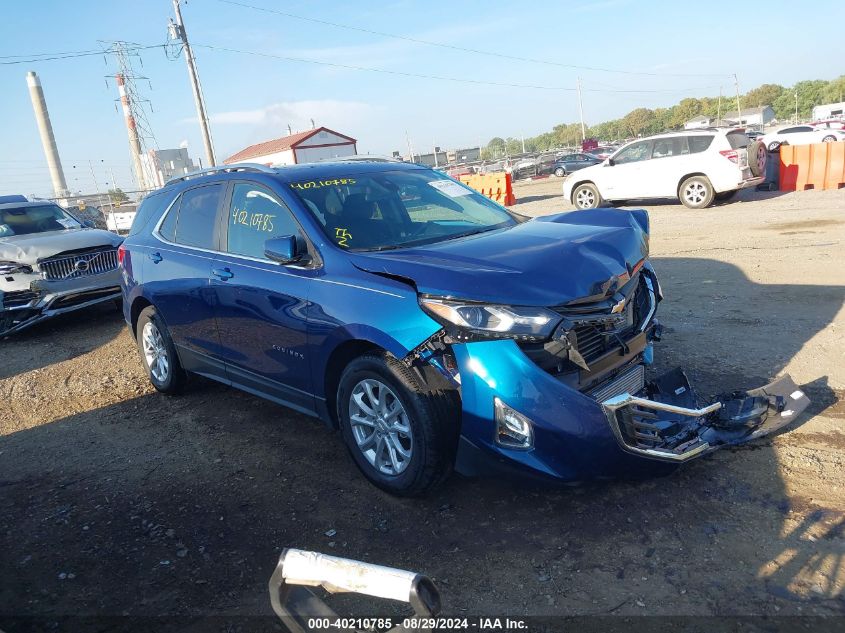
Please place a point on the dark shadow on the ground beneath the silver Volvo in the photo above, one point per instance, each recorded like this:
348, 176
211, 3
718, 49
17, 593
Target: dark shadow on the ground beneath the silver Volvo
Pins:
60, 338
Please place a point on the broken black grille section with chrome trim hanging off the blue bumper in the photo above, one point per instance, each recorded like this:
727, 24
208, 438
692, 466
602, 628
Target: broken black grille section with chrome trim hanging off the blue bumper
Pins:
666, 420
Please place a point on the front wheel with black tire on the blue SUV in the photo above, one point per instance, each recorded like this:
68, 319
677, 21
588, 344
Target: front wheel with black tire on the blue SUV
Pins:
401, 434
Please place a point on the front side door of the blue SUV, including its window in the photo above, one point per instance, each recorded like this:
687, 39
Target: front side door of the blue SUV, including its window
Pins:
261, 304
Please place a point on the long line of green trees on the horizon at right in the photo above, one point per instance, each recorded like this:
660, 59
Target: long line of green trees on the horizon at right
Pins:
645, 121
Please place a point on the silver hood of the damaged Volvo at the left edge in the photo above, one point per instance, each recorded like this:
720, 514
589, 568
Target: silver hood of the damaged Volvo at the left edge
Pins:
28, 249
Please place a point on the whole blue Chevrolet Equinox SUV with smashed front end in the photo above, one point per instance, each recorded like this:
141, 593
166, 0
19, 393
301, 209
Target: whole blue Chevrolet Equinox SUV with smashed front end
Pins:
434, 328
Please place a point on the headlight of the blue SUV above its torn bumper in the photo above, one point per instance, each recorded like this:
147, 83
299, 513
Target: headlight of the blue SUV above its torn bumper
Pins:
496, 321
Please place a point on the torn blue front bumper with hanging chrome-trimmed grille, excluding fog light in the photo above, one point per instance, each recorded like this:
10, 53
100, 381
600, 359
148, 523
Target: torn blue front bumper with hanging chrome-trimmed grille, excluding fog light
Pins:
580, 436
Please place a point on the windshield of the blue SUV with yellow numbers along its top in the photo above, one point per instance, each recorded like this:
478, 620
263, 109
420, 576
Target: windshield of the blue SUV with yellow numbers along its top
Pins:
392, 209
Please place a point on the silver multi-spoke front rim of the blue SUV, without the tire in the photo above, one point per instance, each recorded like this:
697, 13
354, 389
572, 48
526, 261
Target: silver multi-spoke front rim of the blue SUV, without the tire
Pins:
381, 426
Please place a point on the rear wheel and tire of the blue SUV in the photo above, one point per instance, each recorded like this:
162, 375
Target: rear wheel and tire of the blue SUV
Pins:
158, 353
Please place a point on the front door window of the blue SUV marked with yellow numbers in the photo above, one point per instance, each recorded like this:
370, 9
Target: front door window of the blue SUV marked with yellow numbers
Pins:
255, 216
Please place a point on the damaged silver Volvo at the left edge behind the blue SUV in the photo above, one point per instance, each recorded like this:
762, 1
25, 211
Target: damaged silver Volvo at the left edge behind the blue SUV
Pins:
51, 263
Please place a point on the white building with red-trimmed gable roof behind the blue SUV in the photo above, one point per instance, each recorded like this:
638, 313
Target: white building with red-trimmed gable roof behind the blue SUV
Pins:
304, 147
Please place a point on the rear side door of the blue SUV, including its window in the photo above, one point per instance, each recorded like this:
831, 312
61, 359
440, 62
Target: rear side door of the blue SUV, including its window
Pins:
177, 275
